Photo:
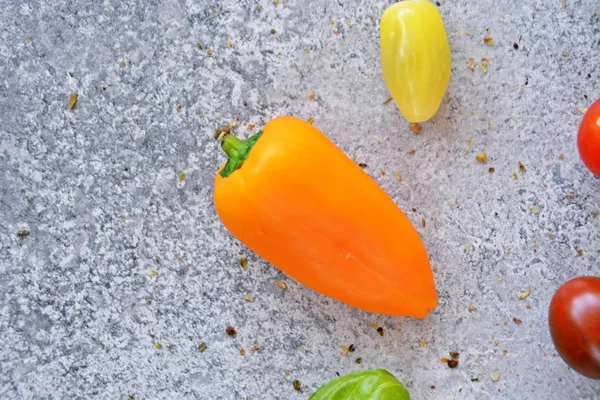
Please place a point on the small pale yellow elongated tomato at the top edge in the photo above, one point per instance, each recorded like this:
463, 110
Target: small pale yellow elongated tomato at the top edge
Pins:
415, 57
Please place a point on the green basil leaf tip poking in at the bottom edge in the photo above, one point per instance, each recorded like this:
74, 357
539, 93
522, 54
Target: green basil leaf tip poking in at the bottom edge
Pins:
375, 384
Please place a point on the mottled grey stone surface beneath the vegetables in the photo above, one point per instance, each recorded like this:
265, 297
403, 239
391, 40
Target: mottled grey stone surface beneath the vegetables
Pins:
98, 188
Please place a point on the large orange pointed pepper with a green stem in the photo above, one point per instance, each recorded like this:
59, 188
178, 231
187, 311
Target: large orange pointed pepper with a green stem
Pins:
295, 199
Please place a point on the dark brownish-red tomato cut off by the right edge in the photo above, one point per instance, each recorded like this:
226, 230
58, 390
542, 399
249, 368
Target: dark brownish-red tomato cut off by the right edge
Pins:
574, 319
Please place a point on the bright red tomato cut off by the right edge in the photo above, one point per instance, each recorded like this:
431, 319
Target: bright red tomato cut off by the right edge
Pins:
588, 138
